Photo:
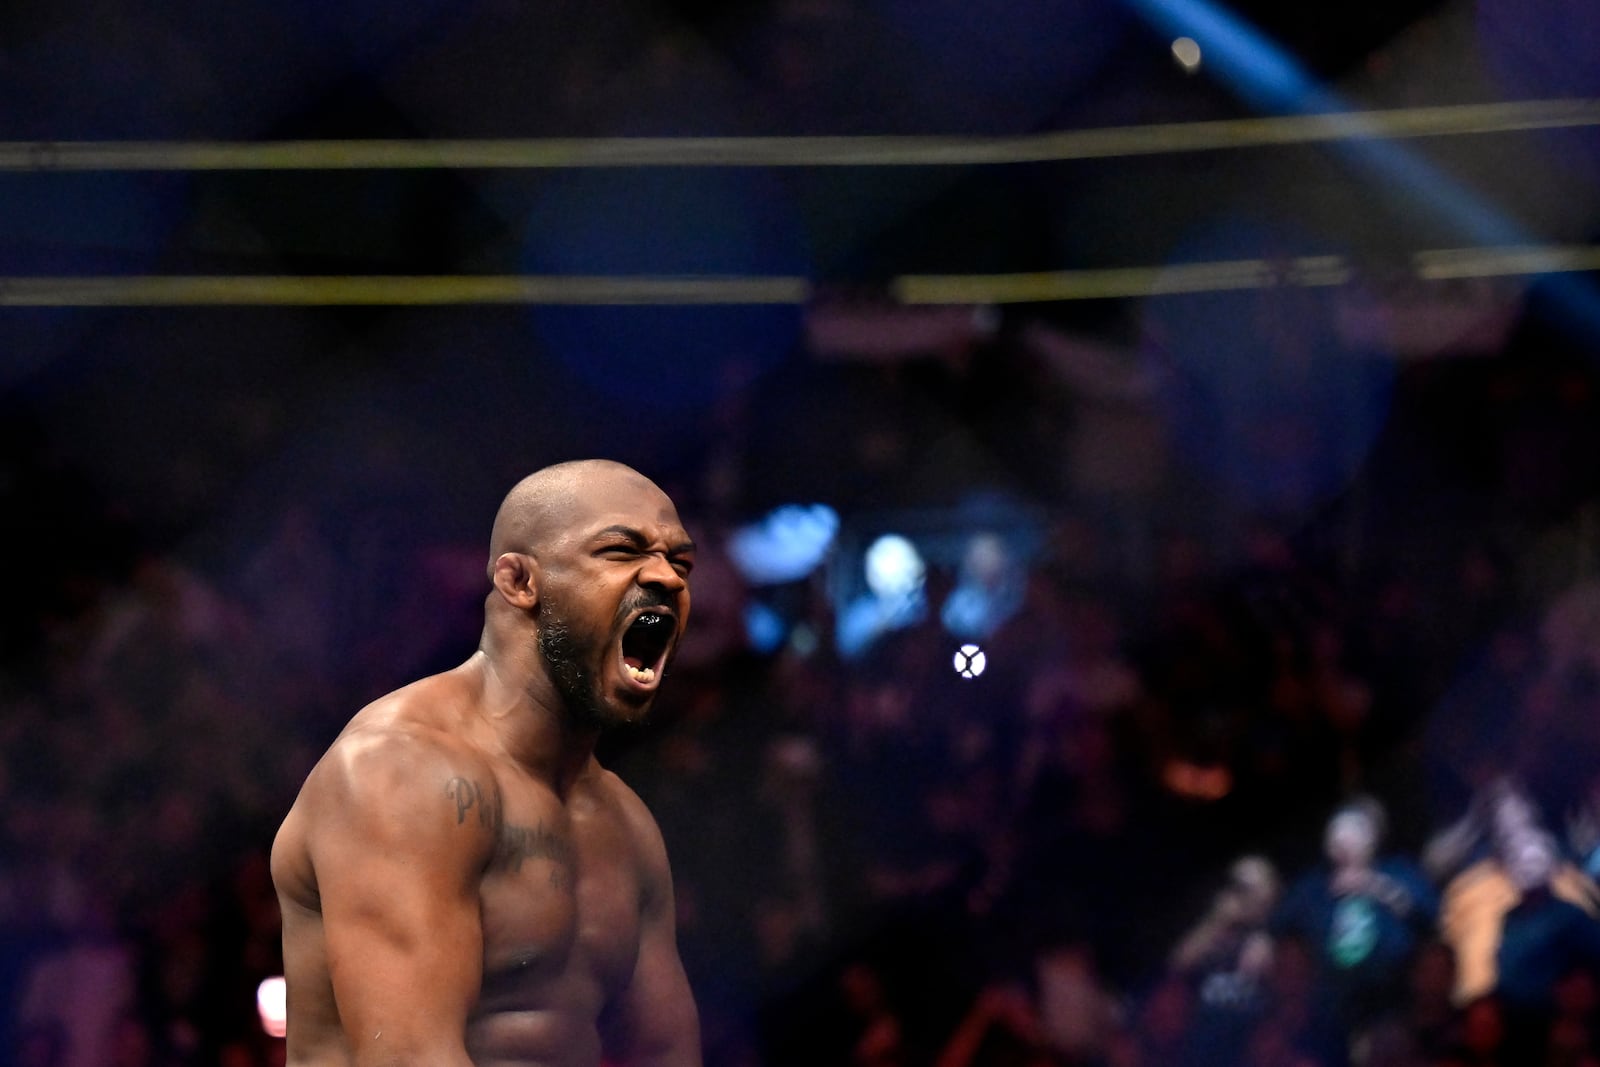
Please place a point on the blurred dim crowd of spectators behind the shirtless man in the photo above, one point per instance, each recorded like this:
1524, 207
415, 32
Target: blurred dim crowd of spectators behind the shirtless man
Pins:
1236, 788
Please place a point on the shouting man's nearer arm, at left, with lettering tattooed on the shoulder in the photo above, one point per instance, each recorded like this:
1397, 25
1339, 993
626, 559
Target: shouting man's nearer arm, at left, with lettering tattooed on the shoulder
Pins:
398, 847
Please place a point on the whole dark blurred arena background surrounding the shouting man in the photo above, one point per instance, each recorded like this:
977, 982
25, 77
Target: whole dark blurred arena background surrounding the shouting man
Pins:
1022, 621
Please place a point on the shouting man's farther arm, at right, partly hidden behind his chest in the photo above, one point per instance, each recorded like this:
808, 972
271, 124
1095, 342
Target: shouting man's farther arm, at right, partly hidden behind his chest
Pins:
655, 1021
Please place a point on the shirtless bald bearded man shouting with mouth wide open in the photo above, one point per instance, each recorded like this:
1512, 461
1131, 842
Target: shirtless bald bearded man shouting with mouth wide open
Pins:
462, 882
